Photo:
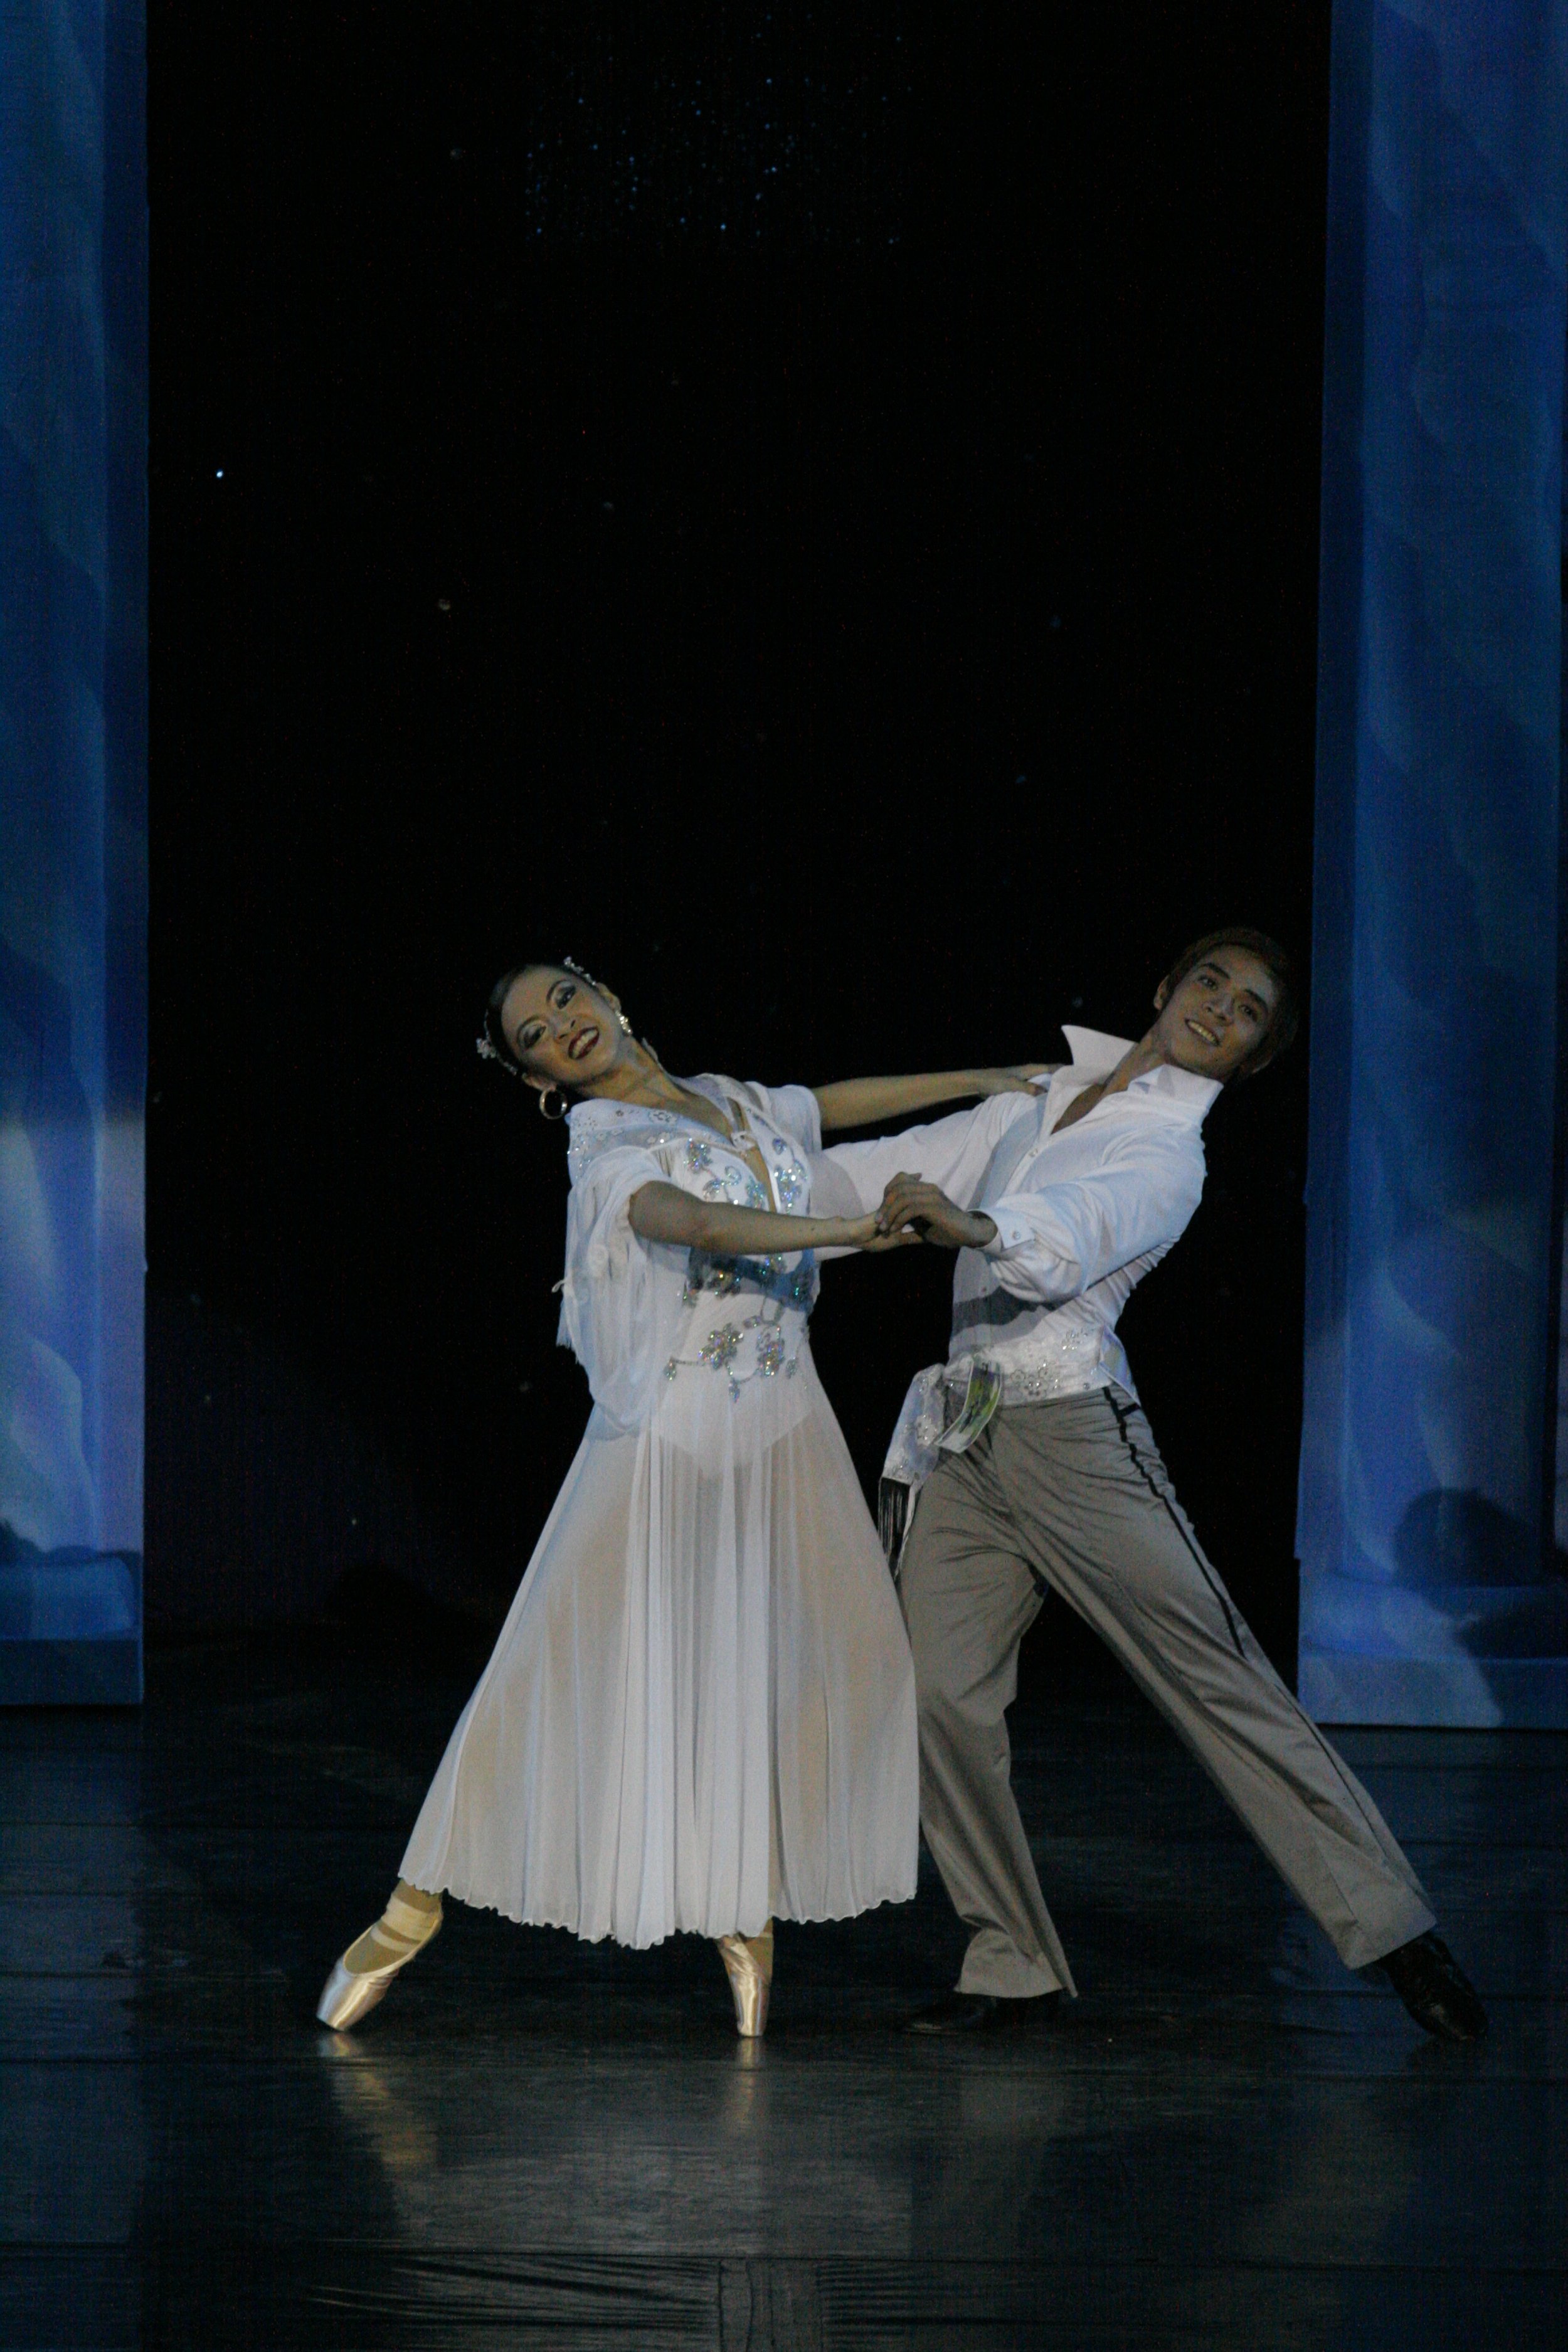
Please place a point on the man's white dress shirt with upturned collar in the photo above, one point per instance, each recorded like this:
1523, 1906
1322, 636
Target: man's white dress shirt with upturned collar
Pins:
1080, 1217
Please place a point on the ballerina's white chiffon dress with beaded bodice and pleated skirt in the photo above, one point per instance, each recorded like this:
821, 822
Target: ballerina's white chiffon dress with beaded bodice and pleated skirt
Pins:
702, 1706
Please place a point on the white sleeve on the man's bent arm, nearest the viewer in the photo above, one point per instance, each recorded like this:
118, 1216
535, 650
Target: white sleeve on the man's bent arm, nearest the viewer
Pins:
1057, 1243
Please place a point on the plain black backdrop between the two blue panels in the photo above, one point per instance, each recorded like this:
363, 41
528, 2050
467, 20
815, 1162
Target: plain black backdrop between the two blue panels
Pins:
812, 514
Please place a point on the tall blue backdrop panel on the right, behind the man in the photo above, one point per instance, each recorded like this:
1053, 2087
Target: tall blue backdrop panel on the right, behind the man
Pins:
1430, 1584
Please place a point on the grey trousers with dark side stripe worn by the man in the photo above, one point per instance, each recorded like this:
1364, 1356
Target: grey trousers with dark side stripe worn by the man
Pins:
1073, 1495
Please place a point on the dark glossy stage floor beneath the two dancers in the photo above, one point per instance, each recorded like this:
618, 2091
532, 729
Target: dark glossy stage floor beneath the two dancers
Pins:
1226, 2141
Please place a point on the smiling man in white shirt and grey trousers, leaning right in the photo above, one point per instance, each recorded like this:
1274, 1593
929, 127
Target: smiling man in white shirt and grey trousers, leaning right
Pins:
1031, 1466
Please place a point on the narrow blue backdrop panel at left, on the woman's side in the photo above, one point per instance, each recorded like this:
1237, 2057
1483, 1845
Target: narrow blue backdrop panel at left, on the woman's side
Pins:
72, 846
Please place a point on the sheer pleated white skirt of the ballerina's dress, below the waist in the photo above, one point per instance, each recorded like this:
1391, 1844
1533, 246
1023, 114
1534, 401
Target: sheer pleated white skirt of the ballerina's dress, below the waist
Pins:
702, 1706
